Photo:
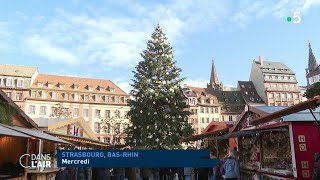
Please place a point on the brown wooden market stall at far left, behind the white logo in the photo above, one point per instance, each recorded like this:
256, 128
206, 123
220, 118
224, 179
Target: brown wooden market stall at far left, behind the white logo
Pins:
19, 135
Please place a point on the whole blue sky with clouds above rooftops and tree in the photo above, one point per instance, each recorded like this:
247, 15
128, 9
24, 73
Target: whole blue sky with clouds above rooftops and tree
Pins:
103, 38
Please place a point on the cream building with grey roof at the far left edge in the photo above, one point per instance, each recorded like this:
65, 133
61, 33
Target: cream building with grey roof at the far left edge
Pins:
16, 82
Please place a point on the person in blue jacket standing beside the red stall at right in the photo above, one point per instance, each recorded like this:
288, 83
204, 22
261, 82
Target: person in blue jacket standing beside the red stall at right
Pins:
231, 167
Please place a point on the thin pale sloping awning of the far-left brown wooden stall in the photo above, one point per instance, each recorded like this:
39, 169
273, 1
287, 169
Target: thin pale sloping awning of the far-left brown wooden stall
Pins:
37, 134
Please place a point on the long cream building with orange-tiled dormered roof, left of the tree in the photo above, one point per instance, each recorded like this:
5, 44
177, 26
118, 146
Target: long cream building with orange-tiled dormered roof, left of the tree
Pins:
101, 103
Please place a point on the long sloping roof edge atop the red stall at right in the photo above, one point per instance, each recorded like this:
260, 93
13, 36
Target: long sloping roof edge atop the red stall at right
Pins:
291, 110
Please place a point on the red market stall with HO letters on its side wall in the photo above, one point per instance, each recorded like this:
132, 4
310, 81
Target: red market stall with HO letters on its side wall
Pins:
277, 142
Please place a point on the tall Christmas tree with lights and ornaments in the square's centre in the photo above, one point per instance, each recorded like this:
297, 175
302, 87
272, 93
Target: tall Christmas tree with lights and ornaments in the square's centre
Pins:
159, 118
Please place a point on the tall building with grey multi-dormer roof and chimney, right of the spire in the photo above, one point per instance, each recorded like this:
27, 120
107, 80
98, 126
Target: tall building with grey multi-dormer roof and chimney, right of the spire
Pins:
275, 83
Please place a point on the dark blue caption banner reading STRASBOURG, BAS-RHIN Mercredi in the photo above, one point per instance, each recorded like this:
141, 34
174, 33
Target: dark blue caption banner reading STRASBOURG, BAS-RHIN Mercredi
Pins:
135, 158
